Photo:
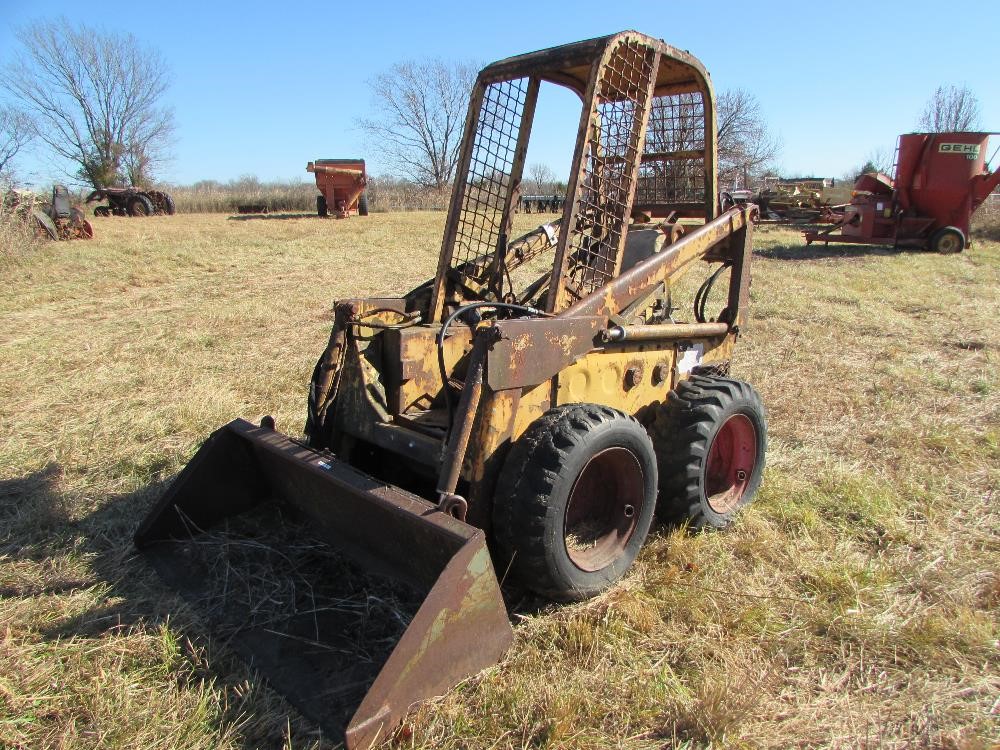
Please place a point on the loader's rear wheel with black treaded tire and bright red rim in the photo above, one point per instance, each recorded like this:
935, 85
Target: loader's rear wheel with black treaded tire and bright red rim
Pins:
685, 433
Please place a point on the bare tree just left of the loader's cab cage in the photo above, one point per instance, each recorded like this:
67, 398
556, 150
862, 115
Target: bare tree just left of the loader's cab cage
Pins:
420, 114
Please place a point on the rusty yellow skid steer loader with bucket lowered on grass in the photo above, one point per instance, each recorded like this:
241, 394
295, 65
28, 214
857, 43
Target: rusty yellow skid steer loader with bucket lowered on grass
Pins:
525, 411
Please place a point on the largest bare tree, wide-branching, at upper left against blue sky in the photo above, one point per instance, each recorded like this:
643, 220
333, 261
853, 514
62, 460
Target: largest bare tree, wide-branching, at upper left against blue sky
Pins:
95, 98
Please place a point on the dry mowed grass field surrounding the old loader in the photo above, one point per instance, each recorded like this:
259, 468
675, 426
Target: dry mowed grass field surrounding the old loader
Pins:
853, 605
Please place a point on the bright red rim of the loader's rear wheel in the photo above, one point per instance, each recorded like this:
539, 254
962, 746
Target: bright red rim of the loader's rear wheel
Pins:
731, 461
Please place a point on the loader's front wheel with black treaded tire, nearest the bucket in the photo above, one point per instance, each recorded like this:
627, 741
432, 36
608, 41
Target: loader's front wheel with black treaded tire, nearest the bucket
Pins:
534, 491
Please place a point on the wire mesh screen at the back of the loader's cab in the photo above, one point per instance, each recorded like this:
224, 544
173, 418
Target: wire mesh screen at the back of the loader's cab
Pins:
670, 172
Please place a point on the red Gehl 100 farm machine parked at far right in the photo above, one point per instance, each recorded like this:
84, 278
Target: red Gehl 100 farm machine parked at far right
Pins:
939, 181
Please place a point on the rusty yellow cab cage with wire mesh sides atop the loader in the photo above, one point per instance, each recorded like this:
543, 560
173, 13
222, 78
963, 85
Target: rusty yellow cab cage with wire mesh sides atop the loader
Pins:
646, 140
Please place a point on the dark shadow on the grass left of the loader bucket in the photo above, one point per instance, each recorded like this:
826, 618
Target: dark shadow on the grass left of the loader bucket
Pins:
39, 539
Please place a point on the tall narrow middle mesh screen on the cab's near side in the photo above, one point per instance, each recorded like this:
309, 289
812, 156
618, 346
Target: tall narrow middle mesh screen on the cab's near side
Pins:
609, 166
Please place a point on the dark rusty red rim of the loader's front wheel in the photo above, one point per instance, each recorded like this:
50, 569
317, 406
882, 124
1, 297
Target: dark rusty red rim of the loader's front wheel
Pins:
603, 509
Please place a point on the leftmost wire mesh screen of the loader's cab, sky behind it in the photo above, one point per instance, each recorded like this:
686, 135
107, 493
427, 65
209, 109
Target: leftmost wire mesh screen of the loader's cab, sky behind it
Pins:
481, 219
